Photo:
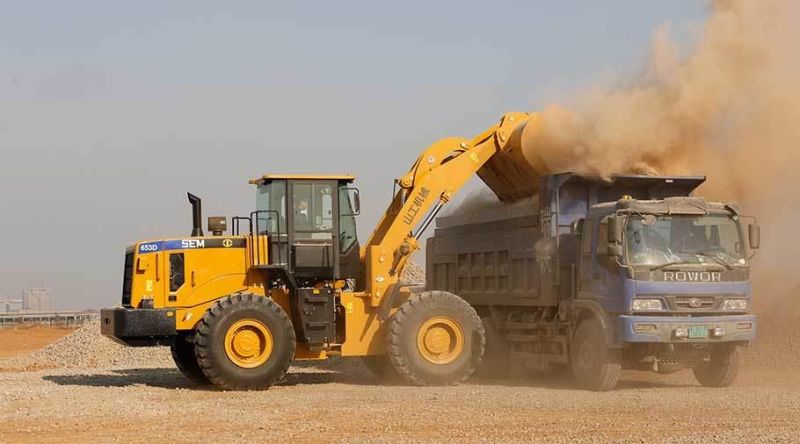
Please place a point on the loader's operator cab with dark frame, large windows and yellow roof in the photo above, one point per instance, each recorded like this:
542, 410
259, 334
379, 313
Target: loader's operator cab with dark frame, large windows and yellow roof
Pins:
310, 225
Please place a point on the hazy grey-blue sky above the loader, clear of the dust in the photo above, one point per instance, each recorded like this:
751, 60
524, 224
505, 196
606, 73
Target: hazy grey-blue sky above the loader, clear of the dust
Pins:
111, 111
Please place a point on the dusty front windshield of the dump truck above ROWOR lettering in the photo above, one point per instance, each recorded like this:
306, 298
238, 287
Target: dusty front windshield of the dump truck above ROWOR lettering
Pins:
685, 239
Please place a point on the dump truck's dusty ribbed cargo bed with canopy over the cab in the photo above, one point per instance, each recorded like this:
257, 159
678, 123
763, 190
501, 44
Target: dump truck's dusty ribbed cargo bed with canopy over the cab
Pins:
524, 253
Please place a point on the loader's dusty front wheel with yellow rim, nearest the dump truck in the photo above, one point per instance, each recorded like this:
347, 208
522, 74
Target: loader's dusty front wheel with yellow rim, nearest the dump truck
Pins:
435, 338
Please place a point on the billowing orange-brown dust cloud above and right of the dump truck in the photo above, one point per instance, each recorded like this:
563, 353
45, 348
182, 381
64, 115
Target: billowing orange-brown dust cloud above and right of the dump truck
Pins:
728, 109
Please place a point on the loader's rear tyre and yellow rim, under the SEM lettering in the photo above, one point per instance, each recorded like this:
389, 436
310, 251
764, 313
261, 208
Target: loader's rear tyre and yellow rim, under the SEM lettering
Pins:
245, 342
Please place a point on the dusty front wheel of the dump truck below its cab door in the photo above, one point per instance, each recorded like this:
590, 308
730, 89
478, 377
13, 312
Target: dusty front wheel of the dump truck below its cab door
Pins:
594, 365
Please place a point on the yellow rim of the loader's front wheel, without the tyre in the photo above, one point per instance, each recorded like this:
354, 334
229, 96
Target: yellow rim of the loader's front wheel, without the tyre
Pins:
440, 340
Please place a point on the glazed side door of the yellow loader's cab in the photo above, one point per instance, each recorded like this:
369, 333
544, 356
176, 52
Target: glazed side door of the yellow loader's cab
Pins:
312, 223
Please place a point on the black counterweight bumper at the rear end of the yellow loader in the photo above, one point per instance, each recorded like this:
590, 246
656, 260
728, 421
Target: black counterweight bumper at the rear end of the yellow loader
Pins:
138, 327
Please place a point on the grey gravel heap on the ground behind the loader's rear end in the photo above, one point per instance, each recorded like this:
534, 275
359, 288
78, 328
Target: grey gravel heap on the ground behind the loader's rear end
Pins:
87, 348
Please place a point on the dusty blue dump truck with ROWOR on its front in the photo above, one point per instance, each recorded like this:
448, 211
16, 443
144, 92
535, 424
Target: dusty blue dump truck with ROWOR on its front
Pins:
604, 275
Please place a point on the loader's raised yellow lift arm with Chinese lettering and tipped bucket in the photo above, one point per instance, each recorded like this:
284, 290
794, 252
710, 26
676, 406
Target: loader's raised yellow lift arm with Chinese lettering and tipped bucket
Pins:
434, 179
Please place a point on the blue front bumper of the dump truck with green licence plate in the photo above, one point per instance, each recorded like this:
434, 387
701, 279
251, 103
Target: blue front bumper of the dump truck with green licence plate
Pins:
687, 329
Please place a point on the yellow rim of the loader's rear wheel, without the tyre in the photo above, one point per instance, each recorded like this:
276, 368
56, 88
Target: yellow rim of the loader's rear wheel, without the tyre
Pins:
248, 343
